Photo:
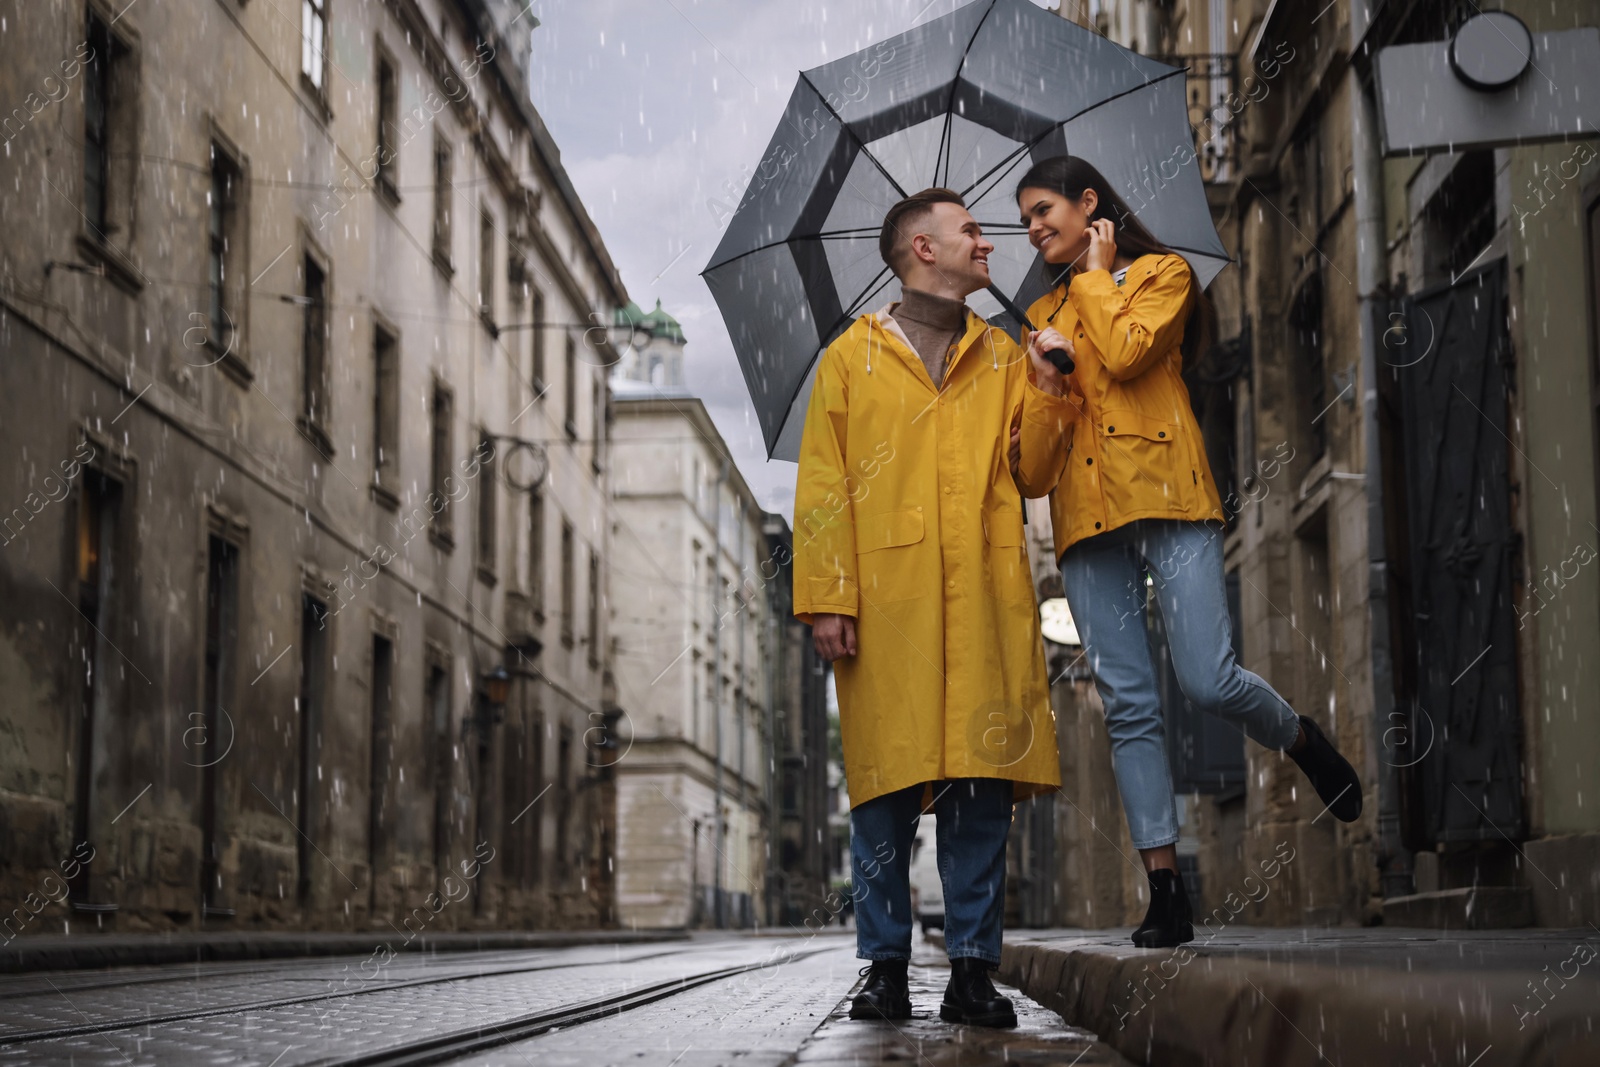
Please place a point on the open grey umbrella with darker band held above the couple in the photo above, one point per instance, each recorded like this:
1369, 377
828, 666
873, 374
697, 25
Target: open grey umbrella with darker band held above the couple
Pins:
967, 102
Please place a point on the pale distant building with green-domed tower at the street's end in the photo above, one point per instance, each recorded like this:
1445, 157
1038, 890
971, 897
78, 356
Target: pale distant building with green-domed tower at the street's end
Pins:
710, 669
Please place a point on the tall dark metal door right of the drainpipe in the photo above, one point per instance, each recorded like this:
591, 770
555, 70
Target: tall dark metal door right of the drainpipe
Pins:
1465, 778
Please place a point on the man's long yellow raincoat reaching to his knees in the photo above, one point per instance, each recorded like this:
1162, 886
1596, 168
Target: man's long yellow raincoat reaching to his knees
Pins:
908, 519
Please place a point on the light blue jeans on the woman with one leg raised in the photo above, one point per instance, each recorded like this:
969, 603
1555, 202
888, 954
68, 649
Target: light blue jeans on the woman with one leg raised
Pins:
1105, 583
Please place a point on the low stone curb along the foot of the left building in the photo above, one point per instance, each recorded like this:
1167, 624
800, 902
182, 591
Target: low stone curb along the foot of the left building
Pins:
57, 953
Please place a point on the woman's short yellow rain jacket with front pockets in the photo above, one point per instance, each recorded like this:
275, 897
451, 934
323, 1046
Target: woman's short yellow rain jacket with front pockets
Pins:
1135, 446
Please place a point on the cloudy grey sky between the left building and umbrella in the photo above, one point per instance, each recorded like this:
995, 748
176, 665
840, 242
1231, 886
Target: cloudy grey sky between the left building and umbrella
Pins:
662, 108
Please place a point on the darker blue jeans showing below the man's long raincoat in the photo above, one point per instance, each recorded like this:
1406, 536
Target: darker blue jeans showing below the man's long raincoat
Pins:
974, 820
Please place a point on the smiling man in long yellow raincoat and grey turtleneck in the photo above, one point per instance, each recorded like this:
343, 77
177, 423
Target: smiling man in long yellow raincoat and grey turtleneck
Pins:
911, 569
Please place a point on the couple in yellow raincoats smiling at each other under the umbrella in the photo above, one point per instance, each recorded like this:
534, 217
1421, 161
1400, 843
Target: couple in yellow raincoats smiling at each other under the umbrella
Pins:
918, 581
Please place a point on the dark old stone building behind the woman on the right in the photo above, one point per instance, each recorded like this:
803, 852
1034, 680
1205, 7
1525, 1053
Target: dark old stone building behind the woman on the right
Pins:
1401, 418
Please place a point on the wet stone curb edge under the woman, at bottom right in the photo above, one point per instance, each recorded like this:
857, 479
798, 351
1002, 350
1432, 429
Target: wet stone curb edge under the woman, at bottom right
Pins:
1220, 1010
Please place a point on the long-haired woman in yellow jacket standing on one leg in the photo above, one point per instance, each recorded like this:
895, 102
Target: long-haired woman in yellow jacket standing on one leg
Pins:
1135, 503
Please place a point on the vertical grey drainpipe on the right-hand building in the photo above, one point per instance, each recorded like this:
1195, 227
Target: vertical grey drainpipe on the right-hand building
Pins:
1394, 860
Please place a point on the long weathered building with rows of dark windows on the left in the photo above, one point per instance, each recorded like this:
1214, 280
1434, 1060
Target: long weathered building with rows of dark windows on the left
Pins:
306, 473
